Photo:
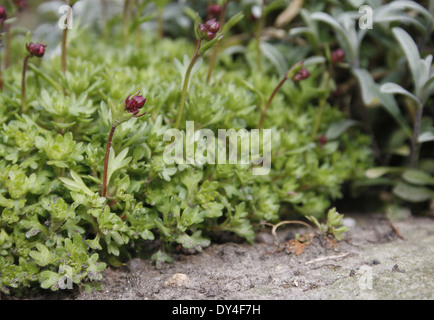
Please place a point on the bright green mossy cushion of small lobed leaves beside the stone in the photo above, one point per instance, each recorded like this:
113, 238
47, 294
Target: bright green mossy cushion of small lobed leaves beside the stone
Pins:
55, 222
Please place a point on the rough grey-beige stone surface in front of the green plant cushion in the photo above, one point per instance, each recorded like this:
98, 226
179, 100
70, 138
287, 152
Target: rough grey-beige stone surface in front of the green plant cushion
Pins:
372, 262
